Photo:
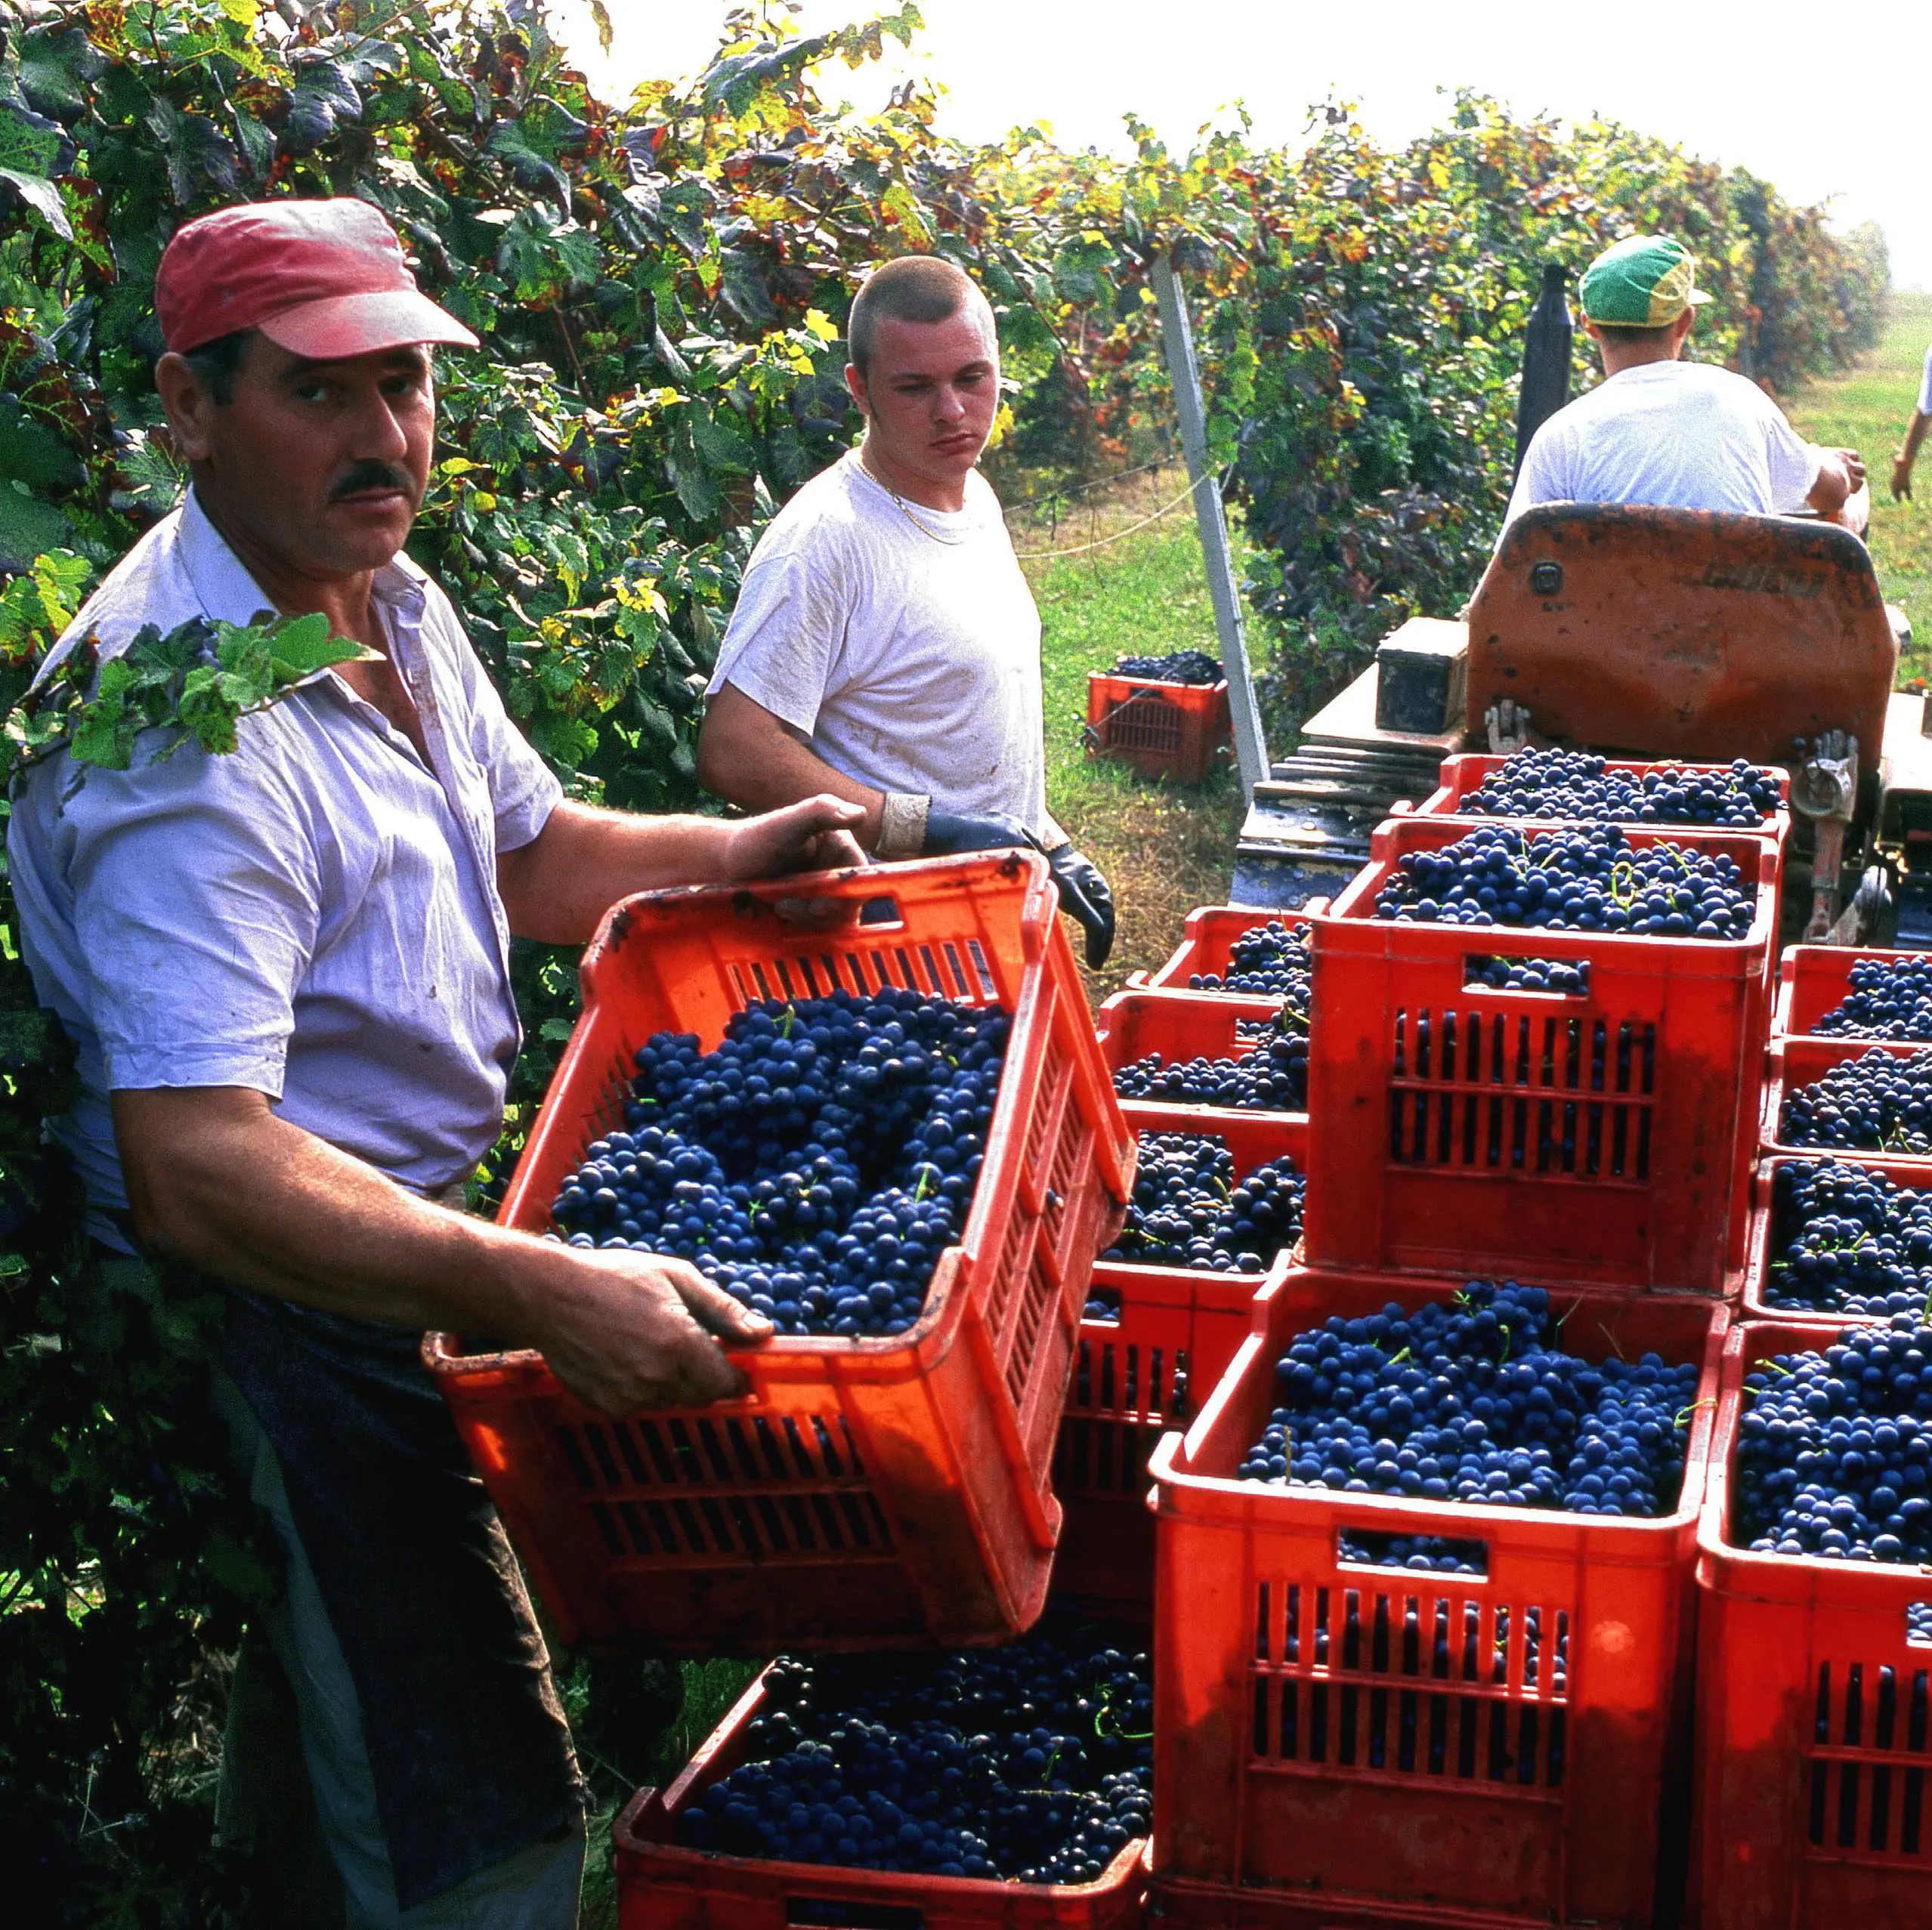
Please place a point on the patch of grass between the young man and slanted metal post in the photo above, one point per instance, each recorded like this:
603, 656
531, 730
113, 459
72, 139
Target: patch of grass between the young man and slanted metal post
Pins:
1164, 849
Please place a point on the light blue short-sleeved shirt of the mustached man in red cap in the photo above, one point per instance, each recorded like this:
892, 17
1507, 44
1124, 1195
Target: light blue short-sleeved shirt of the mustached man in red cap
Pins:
314, 917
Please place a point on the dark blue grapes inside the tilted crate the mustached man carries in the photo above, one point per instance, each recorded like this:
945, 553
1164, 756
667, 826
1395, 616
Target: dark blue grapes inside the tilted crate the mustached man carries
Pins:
816, 1166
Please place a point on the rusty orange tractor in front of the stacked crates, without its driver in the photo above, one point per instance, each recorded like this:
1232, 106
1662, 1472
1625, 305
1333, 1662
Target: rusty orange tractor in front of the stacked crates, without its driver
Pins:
1657, 635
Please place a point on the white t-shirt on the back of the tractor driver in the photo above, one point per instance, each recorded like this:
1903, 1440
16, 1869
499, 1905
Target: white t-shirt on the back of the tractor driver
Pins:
1676, 434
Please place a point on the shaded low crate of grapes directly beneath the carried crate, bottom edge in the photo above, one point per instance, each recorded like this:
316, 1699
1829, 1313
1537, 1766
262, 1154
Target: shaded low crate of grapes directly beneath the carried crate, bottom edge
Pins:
979, 1790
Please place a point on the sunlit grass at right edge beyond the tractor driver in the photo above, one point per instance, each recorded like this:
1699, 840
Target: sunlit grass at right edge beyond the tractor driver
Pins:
1867, 411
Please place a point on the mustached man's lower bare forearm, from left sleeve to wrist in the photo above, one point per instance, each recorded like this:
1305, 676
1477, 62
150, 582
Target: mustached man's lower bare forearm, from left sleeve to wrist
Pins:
217, 1181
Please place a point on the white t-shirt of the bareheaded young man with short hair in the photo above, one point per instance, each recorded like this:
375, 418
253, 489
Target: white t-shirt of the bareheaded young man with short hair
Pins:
903, 642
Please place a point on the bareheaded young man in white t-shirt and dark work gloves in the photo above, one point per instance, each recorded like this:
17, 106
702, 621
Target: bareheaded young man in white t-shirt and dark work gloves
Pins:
886, 646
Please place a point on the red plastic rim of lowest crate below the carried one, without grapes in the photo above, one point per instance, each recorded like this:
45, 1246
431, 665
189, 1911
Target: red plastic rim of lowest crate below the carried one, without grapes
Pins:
662, 1887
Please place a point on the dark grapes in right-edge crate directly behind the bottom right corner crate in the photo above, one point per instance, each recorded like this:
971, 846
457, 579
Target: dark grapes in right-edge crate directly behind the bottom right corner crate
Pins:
1848, 1241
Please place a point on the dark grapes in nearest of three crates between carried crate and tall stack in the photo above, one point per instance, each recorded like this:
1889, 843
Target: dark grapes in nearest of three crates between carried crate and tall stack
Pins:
1191, 1212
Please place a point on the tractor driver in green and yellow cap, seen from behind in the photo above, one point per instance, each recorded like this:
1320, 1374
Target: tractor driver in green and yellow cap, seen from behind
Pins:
1670, 432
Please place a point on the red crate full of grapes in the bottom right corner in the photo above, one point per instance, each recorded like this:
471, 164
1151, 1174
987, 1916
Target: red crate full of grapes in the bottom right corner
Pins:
1815, 1632
